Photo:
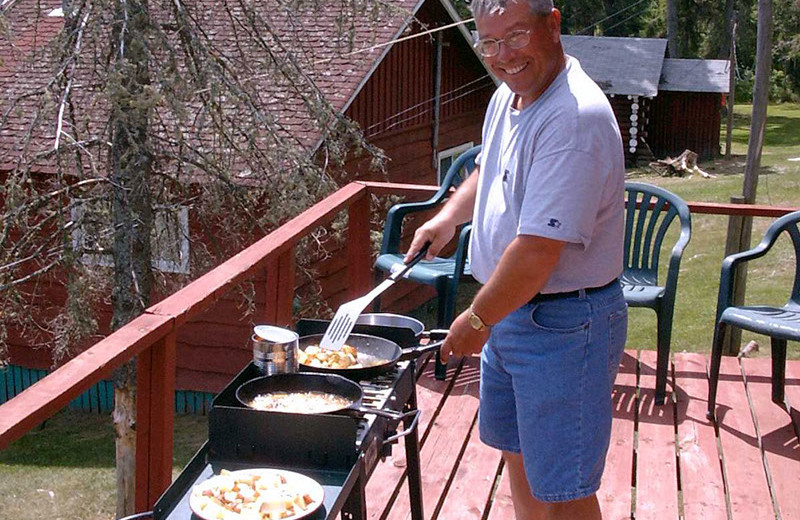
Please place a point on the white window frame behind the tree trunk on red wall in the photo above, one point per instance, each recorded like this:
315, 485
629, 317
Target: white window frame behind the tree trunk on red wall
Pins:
159, 261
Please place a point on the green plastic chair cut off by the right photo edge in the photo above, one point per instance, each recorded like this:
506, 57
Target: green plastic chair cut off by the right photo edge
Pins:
779, 323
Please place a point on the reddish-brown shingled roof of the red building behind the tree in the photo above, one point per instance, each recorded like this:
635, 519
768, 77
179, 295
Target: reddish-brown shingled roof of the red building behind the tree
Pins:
335, 60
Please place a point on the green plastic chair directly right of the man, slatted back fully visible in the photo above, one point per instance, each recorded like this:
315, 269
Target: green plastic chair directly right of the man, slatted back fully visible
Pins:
649, 213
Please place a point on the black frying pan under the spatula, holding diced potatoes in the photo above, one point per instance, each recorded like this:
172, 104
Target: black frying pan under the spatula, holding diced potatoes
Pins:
376, 355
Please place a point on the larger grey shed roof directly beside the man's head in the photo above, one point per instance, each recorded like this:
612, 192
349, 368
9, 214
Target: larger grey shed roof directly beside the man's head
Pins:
627, 66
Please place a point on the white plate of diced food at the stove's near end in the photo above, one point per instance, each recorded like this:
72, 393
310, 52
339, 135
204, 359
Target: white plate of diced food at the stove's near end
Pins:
256, 494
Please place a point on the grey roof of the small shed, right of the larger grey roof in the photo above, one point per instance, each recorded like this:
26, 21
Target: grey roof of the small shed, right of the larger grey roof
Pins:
695, 75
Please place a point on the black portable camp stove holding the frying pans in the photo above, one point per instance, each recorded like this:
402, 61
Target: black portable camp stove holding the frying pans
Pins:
340, 452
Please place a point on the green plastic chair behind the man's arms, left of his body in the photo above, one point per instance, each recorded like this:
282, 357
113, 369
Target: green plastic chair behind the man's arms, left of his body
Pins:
443, 273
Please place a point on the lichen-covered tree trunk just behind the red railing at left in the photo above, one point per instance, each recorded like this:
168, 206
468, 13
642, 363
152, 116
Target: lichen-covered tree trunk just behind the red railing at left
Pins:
131, 164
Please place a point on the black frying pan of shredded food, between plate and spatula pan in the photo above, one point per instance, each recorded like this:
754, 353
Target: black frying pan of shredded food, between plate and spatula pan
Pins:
326, 383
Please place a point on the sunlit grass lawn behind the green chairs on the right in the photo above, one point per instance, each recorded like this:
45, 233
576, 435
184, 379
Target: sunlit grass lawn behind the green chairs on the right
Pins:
769, 278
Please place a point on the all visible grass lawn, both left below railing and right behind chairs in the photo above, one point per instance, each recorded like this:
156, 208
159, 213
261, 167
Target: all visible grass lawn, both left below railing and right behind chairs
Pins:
65, 470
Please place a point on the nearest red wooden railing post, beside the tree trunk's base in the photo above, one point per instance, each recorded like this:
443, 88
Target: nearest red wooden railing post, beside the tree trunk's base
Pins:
155, 413
